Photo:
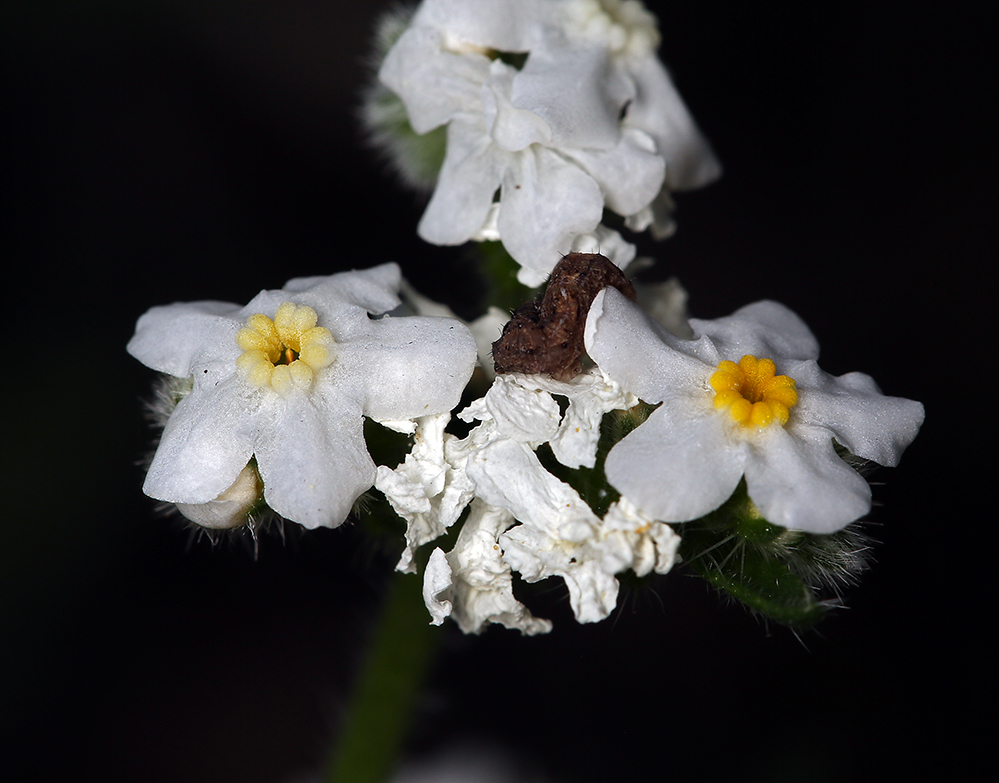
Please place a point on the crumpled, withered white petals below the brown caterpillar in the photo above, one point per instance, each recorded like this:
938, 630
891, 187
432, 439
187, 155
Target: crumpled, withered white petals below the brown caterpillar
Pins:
523, 519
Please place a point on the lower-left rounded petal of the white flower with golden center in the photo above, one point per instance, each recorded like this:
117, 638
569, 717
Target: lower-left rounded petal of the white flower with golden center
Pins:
678, 465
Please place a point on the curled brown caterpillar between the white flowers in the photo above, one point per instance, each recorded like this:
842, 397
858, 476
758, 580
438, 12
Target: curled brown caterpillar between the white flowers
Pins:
547, 336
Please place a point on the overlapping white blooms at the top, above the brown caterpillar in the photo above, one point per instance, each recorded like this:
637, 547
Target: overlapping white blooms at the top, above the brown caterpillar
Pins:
589, 121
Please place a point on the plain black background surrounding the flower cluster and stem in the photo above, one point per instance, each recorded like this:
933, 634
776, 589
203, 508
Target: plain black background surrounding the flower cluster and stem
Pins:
176, 150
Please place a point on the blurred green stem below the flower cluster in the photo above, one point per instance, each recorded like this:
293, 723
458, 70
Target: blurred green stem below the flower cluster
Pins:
391, 676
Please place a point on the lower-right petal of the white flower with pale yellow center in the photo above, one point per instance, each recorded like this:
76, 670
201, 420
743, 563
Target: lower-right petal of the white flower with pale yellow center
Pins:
313, 459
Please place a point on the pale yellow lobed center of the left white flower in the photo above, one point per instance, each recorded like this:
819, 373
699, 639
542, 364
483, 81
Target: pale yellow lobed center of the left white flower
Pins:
284, 353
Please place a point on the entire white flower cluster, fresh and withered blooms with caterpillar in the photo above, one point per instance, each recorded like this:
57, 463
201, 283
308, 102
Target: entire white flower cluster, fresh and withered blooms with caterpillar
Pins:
562, 109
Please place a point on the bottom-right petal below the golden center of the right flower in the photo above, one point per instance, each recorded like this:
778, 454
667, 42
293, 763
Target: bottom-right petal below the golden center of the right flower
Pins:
802, 484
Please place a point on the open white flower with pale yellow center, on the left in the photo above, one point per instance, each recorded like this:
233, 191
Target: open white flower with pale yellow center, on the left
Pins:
286, 380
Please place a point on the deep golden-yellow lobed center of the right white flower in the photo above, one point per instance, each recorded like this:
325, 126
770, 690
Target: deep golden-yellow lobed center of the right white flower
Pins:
752, 393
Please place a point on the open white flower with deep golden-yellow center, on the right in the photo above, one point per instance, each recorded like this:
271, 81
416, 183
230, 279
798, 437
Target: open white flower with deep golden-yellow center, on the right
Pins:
746, 398
